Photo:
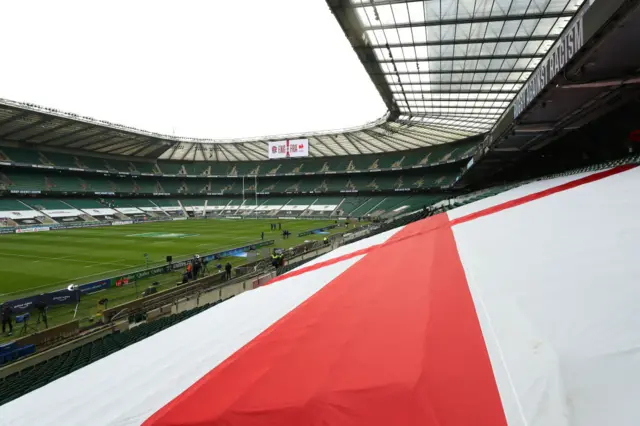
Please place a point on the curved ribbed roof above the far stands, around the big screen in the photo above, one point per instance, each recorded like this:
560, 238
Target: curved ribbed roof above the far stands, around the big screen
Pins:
38, 126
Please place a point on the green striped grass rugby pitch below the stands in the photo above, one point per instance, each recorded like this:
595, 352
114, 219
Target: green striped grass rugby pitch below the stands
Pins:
39, 262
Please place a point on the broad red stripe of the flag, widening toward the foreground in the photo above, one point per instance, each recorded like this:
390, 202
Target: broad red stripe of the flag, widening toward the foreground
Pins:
367, 349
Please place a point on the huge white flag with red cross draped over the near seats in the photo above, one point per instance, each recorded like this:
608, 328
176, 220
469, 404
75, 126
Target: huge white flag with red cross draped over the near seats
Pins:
517, 310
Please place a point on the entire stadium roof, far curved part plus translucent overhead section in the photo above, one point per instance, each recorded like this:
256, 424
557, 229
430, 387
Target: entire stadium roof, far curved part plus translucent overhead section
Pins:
446, 69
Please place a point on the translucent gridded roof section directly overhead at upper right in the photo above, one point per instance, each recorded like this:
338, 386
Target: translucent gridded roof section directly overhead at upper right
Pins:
458, 64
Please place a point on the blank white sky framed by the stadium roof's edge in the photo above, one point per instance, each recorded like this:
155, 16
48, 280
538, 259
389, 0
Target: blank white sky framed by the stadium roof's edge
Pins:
209, 68
